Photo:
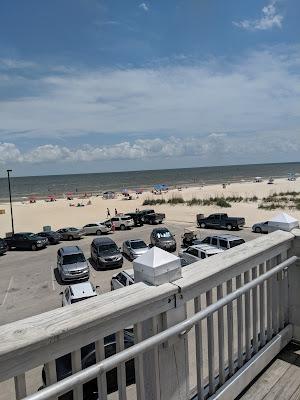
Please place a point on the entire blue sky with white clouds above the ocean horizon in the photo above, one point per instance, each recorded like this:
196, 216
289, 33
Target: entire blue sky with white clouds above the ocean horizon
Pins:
108, 85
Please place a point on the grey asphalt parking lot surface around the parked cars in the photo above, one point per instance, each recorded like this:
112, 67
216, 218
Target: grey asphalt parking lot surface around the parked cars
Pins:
30, 284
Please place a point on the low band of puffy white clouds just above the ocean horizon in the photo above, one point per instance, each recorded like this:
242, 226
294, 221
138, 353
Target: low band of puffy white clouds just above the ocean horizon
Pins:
212, 146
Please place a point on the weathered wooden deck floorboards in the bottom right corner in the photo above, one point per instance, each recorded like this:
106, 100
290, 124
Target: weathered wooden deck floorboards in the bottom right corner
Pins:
280, 380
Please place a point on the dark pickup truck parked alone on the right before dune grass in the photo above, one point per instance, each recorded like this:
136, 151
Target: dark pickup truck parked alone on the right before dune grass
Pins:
220, 221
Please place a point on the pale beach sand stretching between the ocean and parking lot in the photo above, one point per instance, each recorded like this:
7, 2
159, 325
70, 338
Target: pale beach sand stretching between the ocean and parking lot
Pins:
32, 217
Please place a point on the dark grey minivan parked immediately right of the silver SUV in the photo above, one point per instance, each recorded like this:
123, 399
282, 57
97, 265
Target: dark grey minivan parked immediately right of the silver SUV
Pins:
105, 253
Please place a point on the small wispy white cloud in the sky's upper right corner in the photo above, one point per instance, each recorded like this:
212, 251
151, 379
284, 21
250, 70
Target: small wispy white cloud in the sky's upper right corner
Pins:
270, 19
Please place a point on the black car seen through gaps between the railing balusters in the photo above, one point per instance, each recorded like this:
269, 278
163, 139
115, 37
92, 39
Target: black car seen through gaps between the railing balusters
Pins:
88, 358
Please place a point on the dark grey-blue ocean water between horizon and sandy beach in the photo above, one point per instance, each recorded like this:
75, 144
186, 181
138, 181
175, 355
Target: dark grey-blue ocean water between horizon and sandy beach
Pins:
23, 187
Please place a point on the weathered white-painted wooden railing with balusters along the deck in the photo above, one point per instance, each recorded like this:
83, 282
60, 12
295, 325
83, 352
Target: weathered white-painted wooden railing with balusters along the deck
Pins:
206, 334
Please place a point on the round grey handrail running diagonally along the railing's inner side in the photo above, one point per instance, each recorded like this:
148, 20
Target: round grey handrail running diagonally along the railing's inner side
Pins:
181, 328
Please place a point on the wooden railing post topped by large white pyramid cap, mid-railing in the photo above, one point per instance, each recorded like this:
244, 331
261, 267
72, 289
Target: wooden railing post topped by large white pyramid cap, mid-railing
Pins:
165, 369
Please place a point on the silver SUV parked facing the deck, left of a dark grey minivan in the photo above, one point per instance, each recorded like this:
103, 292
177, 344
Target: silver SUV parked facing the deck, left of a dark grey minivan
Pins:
72, 264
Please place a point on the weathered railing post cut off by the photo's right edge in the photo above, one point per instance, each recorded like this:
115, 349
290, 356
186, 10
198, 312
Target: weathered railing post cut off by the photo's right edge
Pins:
294, 288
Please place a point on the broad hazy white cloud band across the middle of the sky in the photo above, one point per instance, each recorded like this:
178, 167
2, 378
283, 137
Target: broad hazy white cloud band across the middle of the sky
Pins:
258, 93
